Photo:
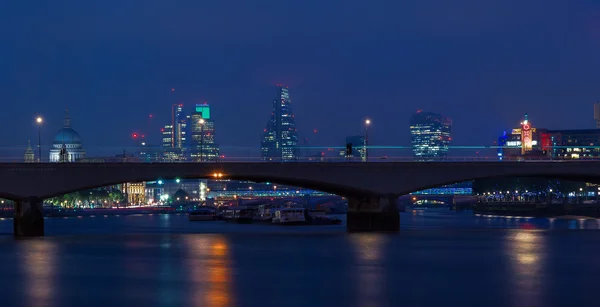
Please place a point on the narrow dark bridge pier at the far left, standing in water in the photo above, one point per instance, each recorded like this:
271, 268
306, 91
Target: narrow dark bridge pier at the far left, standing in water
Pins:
29, 218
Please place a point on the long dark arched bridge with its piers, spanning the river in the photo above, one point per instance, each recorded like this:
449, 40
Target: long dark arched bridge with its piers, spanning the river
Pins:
371, 188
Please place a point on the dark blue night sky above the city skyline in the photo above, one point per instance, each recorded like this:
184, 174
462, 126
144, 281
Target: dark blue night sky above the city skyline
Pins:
113, 62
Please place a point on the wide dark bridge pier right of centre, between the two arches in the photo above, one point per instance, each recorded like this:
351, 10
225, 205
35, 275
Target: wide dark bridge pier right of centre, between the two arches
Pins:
373, 213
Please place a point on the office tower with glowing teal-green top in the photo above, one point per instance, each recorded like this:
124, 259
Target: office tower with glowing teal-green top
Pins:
202, 135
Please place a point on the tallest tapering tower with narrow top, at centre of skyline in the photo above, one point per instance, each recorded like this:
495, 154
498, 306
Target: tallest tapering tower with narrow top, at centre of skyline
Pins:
280, 137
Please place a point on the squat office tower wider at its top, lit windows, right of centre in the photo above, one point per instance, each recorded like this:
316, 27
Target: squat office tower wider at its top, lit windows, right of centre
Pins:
430, 135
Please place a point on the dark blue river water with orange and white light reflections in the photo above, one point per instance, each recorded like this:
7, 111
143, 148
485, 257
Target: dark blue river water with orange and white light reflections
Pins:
438, 259
